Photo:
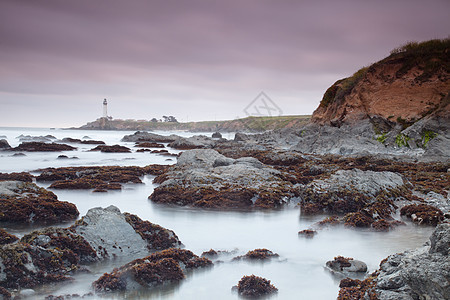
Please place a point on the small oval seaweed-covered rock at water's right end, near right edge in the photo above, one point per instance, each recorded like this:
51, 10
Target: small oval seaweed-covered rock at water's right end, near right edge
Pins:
422, 213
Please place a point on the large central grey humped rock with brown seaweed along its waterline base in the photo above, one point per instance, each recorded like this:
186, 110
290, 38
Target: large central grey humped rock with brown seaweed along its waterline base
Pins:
205, 178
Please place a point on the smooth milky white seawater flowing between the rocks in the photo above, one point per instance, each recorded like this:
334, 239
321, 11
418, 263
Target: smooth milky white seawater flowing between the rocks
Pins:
298, 273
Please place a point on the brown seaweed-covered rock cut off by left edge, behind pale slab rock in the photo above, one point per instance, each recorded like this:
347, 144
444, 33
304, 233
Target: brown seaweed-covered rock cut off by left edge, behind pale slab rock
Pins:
24, 202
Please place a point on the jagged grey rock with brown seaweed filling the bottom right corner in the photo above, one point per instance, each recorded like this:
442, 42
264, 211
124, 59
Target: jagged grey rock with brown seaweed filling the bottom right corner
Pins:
423, 273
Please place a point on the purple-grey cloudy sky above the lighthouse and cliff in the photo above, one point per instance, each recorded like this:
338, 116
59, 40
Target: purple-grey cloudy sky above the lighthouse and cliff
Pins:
195, 60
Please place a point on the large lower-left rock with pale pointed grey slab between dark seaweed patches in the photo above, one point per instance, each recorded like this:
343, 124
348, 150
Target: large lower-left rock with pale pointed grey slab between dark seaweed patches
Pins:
54, 254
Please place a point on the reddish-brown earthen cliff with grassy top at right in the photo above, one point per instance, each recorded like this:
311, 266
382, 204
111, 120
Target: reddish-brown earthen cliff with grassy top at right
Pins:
408, 85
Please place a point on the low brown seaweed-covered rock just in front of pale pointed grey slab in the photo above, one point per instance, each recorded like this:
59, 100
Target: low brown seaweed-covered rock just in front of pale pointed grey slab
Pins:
159, 268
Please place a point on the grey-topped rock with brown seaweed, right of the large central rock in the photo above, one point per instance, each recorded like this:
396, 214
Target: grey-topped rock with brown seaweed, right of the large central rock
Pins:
364, 196
